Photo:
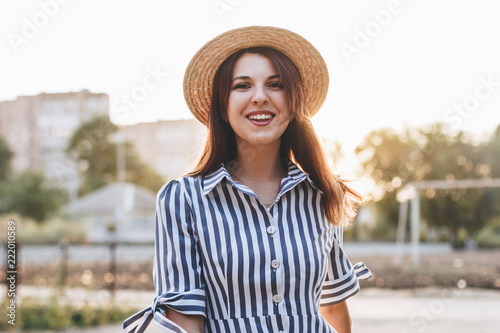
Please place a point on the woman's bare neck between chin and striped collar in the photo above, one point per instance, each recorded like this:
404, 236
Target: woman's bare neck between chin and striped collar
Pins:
258, 162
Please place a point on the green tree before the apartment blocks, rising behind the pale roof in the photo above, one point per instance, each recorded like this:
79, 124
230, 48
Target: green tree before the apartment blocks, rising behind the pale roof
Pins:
92, 146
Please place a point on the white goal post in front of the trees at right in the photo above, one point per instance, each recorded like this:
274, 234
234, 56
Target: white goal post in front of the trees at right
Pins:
410, 194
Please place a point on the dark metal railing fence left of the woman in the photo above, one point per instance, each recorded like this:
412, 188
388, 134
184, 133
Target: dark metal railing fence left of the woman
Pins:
108, 265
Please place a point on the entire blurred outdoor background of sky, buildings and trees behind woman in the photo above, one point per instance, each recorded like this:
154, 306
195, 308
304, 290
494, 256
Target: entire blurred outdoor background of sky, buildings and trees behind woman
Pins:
93, 123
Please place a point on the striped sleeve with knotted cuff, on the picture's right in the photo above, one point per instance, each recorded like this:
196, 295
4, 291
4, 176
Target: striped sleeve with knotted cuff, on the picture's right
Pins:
341, 280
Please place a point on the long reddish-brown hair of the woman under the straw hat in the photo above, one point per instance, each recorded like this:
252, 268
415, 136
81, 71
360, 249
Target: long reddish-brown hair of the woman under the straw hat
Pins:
299, 142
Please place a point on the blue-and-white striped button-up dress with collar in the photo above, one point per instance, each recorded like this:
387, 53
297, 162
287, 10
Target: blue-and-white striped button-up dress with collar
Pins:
222, 254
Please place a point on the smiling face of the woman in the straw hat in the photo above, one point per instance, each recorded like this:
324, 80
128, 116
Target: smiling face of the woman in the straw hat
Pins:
257, 107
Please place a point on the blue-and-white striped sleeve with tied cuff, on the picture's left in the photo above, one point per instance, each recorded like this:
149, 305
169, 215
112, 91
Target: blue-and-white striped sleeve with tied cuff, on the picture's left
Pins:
176, 265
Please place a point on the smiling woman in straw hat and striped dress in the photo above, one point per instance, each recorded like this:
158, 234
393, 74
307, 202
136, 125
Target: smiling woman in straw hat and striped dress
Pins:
250, 240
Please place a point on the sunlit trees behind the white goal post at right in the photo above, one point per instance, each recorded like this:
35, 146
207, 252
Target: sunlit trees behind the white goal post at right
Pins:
395, 159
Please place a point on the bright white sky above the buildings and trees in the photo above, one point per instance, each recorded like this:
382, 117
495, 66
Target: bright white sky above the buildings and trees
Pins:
392, 63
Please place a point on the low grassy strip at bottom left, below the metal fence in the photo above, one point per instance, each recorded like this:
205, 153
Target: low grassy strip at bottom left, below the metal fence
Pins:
34, 314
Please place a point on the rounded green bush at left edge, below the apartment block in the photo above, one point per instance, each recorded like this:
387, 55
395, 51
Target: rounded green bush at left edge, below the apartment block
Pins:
28, 195
